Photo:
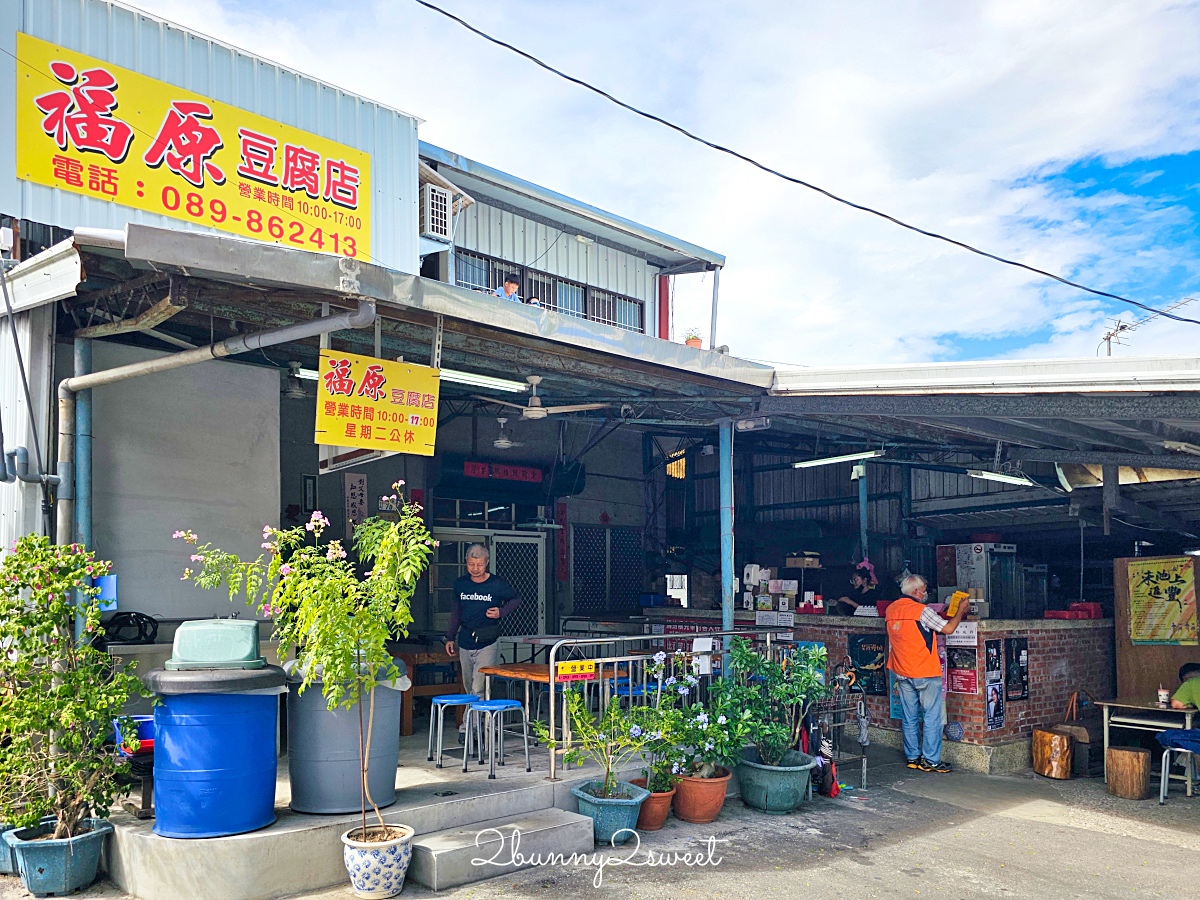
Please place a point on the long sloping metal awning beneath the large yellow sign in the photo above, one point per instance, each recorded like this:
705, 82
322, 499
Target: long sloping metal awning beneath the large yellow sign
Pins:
131, 277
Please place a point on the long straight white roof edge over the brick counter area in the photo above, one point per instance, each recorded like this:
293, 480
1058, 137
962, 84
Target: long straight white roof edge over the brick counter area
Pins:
1183, 405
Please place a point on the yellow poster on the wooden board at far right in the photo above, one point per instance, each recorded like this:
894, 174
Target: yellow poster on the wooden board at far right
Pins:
1163, 602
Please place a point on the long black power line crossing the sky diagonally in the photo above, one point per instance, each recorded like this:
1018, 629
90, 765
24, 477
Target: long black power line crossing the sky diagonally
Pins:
793, 179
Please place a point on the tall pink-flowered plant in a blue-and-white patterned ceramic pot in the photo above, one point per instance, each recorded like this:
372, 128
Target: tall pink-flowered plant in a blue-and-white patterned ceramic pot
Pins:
339, 625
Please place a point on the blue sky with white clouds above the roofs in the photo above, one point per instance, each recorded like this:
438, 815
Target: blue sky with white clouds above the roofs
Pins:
1065, 135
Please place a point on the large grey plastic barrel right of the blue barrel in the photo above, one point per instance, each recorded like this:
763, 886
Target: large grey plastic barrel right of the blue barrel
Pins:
323, 751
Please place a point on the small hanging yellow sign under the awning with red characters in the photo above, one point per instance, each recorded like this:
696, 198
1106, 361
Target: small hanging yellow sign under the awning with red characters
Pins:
379, 405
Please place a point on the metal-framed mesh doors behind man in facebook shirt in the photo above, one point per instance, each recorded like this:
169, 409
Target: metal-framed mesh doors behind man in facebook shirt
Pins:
518, 557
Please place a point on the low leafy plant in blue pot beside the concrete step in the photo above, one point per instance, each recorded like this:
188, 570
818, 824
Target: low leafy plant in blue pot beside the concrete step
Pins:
614, 742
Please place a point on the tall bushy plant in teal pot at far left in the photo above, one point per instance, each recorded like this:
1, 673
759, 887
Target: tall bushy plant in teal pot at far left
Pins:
59, 698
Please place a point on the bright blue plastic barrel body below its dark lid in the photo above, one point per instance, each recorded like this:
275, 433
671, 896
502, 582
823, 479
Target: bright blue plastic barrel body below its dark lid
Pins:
214, 765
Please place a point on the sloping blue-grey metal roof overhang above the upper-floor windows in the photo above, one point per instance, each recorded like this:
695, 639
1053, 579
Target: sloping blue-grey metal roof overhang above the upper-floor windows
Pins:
506, 190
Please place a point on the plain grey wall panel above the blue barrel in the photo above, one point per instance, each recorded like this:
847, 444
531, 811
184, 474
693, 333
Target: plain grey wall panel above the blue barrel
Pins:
195, 448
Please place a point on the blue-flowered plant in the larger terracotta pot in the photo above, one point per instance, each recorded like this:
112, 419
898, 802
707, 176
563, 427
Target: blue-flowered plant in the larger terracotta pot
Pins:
709, 743
